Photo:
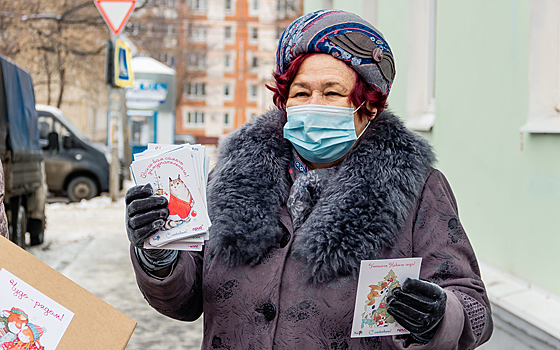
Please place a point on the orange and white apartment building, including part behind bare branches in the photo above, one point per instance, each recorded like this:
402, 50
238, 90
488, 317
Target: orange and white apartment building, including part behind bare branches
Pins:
223, 52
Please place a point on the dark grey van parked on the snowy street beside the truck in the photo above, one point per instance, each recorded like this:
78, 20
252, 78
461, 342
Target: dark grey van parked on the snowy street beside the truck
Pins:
75, 167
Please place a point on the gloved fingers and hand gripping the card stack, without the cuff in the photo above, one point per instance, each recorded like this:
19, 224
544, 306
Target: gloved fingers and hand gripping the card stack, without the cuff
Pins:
146, 213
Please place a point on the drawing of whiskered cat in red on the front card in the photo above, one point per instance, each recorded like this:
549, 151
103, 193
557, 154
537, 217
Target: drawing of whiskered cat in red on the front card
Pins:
180, 203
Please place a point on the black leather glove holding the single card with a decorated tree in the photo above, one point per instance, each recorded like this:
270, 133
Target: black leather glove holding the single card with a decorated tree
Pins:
419, 307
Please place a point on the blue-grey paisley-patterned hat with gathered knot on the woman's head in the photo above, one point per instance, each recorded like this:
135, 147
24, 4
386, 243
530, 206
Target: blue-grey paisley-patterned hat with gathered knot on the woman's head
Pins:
345, 36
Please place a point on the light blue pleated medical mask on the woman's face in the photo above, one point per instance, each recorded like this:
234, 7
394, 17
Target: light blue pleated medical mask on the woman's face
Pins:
321, 134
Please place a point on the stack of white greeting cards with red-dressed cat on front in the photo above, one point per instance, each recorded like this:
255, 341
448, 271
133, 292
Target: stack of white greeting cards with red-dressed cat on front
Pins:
180, 173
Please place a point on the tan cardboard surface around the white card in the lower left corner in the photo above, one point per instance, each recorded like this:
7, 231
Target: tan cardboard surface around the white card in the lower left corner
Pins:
95, 324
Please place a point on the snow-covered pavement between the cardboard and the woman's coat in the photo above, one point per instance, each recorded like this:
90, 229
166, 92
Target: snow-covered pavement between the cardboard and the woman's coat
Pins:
87, 243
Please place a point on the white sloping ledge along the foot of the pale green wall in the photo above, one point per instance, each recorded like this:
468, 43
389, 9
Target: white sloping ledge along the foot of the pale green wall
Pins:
532, 304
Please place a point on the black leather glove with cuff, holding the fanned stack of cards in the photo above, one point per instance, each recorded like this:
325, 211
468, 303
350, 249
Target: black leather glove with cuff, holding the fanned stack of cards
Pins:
146, 213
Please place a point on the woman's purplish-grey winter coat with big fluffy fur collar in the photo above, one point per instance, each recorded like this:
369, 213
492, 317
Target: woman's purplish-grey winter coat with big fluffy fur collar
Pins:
263, 286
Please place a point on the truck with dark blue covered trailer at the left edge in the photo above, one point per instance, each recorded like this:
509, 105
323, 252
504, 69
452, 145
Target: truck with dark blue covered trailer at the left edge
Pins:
21, 155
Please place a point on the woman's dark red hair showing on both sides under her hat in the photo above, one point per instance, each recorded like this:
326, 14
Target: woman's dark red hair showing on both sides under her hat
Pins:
362, 91
